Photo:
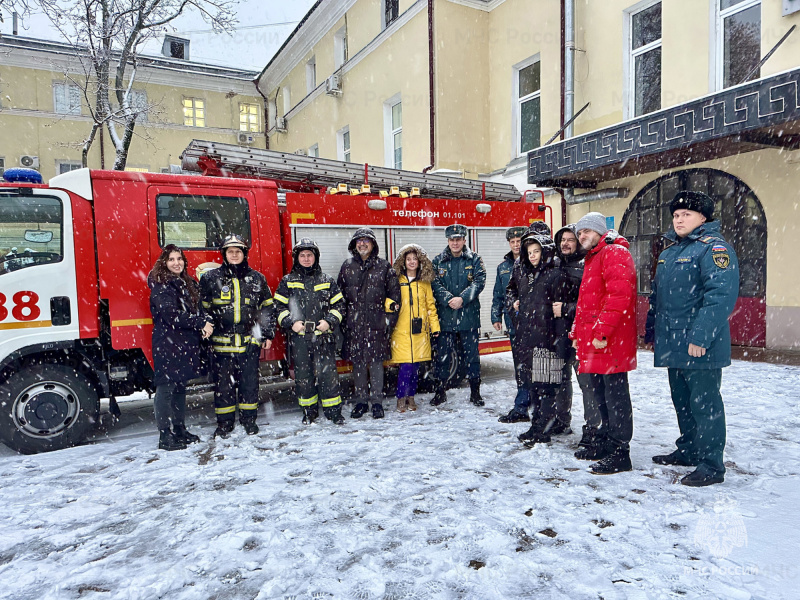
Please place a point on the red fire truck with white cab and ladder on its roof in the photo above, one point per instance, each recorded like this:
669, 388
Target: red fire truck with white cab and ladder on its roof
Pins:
75, 324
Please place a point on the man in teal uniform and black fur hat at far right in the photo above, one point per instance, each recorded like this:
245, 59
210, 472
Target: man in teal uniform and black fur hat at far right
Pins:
694, 292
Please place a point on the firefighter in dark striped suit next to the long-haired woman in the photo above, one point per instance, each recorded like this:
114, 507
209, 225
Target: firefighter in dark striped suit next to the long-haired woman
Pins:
240, 302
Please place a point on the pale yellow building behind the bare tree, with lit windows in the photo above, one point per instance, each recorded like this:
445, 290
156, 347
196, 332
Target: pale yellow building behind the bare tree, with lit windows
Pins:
44, 116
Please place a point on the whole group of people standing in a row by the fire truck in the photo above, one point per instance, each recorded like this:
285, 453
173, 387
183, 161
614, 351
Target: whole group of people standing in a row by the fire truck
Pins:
568, 302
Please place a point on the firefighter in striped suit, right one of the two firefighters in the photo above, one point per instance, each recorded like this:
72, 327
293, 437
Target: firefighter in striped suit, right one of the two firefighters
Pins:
310, 307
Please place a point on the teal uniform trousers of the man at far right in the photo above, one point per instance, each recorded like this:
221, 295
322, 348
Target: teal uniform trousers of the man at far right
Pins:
701, 415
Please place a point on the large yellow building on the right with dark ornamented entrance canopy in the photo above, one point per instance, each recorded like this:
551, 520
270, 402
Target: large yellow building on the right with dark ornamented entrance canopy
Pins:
480, 86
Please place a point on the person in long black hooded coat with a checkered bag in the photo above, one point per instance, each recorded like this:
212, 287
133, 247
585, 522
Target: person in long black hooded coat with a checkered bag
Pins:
536, 282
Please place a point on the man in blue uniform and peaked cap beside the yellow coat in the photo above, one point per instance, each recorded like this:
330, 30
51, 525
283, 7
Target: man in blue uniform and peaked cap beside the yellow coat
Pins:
460, 278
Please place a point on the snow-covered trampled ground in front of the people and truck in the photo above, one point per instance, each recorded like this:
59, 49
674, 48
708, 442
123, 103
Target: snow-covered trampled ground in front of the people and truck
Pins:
434, 504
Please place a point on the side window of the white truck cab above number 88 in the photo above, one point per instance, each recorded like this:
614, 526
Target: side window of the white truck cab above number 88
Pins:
30, 231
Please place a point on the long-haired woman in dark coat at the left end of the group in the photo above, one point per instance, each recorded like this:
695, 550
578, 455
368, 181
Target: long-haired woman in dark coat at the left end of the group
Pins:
178, 326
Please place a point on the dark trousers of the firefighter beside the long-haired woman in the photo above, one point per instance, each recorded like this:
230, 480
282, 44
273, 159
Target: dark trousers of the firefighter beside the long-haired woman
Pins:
236, 376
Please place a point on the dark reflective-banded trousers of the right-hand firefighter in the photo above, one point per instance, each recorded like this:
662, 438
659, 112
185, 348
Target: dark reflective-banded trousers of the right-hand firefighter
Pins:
315, 375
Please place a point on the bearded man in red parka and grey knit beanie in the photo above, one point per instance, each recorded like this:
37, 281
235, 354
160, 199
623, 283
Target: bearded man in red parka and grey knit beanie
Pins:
604, 333
